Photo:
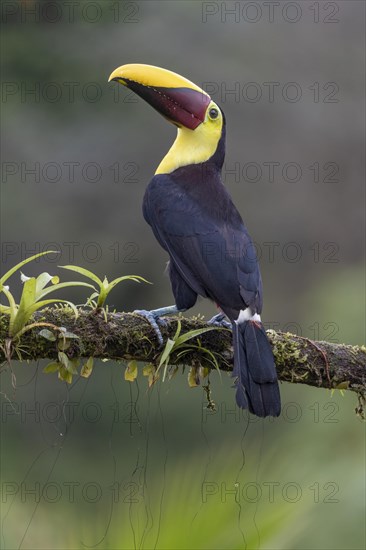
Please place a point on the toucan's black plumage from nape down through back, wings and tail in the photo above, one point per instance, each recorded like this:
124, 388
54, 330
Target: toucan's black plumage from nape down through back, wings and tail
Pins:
212, 255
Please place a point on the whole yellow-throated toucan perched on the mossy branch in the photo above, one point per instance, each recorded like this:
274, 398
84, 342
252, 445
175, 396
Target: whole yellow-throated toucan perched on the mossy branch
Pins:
195, 221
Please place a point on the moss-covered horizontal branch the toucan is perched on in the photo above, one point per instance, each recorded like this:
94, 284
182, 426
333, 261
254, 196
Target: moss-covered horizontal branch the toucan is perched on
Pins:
126, 336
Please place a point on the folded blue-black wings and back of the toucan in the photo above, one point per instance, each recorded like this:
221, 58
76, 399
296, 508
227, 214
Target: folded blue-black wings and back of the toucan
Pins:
208, 244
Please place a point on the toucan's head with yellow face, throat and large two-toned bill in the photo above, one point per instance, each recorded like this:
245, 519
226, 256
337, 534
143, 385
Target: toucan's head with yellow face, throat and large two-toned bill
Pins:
199, 120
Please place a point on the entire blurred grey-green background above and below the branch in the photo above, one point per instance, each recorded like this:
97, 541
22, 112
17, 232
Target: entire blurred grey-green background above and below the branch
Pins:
105, 463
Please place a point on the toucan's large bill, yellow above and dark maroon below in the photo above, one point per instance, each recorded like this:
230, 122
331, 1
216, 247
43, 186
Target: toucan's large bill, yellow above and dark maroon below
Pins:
175, 97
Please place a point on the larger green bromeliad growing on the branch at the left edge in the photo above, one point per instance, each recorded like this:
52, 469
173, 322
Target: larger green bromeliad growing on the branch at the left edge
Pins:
32, 298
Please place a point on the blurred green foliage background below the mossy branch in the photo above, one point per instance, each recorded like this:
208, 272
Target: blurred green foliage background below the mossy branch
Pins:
188, 477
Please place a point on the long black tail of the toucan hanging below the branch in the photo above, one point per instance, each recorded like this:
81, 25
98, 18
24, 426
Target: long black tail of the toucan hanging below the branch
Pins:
255, 371
